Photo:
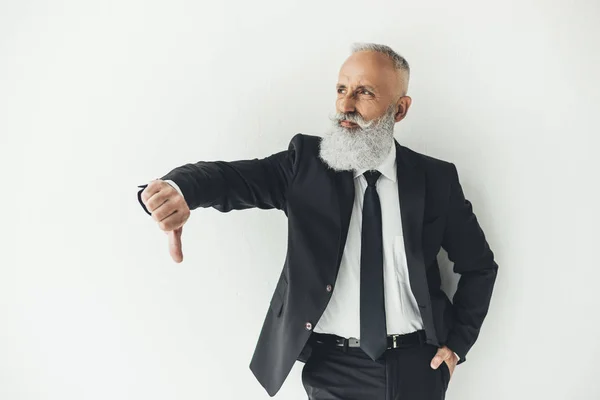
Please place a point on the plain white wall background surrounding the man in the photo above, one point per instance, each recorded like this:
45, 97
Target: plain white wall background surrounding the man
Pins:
98, 97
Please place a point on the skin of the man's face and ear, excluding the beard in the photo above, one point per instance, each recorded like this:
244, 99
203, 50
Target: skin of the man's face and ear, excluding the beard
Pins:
368, 84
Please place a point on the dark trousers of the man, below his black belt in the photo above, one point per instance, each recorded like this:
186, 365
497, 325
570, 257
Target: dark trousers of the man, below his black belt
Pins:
335, 373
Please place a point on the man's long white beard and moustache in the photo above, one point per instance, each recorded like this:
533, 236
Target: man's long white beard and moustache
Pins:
364, 146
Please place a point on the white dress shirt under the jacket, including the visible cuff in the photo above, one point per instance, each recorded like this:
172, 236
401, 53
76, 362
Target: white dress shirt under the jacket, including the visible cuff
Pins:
342, 315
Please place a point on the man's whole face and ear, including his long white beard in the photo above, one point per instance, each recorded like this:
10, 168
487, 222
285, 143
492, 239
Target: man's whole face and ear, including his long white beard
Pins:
369, 103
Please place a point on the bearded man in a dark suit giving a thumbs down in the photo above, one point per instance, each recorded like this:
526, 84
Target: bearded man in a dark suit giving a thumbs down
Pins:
358, 299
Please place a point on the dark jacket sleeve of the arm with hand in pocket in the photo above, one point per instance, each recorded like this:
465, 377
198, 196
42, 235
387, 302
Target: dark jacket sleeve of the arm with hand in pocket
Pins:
473, 259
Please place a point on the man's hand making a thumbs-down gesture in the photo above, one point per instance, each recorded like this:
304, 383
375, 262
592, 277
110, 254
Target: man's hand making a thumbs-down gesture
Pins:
170, 210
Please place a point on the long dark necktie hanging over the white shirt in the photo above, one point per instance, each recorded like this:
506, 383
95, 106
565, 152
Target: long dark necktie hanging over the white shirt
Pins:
373, 332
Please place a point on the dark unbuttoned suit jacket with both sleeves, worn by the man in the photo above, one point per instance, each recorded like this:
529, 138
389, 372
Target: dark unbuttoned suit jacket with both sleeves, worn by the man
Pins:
318, 202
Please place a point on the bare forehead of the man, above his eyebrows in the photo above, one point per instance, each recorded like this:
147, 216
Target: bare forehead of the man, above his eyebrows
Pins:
368, 67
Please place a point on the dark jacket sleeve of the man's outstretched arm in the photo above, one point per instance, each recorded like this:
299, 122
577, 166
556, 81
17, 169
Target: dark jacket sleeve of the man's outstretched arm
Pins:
237, 185
